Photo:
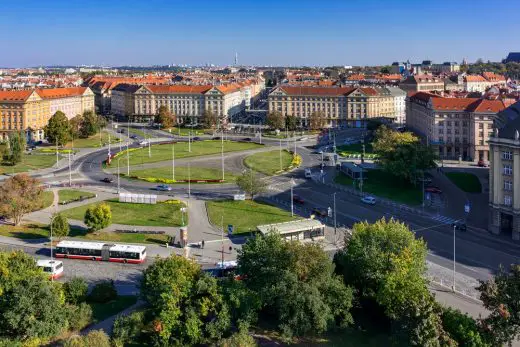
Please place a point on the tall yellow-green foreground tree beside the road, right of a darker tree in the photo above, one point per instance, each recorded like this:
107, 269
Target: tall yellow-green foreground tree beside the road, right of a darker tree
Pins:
386, 265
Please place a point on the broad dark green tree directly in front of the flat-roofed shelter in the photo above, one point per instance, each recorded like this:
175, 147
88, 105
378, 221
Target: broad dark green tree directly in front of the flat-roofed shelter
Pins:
296, 284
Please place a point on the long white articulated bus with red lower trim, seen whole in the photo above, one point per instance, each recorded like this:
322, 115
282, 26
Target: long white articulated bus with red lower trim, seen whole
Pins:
99, 251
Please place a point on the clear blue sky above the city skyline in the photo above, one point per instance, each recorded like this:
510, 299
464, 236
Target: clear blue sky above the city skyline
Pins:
282, 32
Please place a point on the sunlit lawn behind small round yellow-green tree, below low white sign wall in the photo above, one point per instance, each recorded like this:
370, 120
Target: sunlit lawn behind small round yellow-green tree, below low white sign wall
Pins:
160, 214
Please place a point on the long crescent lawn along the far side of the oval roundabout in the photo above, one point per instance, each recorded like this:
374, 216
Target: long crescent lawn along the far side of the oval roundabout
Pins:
164, 152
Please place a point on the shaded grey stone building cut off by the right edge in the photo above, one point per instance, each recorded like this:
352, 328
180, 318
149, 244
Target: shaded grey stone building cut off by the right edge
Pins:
504, 174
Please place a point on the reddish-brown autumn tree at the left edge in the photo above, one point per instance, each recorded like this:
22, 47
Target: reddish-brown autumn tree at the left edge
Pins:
19, 195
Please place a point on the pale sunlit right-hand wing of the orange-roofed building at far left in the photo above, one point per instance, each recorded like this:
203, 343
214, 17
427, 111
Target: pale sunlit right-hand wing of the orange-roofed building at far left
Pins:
70, 101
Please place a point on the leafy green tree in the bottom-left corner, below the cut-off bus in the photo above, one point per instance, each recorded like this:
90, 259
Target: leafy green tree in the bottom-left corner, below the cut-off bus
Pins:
32, 308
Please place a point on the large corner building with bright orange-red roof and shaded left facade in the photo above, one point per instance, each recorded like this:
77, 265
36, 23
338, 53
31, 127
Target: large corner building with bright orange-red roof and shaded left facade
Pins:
458, 128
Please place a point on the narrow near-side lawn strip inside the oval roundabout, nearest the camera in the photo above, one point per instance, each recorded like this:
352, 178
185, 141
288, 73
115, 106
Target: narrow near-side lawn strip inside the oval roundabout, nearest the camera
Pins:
164, 174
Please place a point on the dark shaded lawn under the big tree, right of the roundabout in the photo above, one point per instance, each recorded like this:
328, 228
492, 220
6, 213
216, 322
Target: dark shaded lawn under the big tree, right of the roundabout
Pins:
387, 186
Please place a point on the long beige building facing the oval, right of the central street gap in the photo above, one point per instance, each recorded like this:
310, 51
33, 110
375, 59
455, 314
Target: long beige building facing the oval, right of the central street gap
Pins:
340, 106
